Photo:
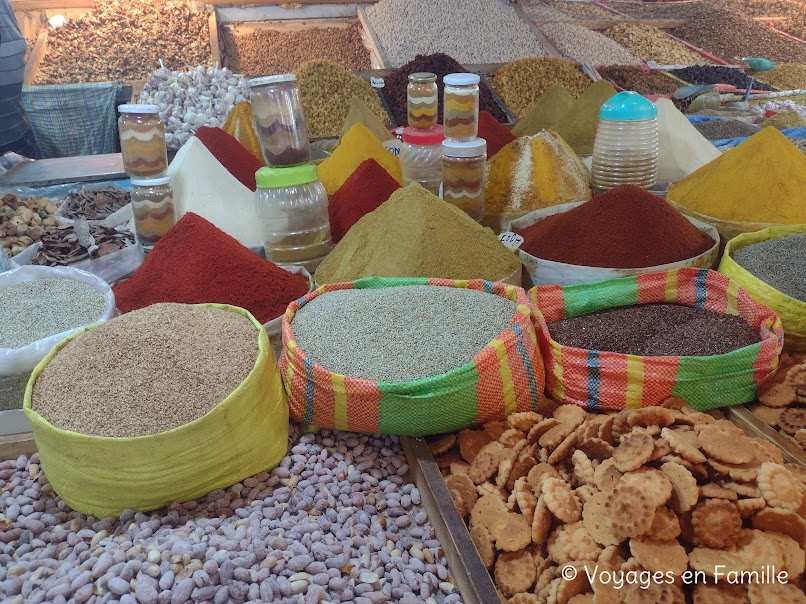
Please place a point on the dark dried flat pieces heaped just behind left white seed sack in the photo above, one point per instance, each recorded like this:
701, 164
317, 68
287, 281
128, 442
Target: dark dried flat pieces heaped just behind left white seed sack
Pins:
81, 241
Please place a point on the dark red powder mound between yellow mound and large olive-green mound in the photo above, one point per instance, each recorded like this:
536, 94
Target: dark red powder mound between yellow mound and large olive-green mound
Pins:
363, 192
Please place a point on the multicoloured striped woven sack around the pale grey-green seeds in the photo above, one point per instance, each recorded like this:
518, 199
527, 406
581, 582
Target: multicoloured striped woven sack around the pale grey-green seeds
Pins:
504, 377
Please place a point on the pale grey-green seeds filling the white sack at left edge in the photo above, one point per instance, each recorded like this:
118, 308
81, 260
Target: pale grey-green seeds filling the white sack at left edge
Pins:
33, 310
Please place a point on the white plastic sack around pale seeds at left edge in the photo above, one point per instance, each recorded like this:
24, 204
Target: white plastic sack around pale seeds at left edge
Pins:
18, 360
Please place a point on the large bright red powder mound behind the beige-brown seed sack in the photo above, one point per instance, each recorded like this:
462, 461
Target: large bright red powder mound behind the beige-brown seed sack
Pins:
195, 262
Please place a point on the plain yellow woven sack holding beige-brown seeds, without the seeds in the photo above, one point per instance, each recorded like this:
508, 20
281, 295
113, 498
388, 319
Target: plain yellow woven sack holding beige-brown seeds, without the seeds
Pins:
244, 434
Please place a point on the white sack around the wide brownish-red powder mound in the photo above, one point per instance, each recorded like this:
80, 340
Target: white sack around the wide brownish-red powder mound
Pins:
549, 272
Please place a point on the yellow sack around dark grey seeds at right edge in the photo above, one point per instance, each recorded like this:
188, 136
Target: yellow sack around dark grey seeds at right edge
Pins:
792, 312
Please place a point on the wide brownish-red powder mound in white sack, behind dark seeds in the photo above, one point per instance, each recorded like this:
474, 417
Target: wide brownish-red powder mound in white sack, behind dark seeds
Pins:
626, 227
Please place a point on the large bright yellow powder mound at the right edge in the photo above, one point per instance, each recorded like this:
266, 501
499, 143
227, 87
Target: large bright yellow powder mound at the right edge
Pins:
761, 180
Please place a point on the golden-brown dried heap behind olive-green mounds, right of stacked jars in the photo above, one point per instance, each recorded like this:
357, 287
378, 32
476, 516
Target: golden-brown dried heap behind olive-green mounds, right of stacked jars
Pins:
522, 82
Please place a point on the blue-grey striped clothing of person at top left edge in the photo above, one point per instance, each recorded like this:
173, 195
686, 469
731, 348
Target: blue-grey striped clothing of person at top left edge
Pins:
15, 130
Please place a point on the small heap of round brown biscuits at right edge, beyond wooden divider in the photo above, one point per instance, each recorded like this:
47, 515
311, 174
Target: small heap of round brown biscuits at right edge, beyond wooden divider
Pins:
782, 401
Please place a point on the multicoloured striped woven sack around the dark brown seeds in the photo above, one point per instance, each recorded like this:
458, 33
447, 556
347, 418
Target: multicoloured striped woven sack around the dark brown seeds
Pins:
608, 380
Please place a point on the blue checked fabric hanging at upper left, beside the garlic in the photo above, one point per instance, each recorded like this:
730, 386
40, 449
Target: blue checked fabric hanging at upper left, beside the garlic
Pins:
73, 119
